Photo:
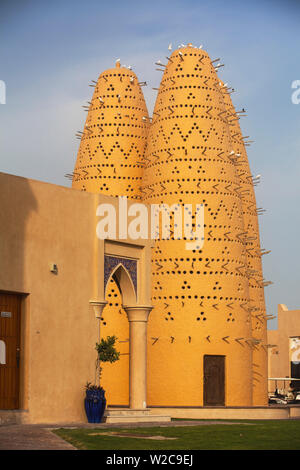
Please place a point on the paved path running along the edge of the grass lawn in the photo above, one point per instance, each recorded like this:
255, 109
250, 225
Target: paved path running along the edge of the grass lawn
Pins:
40, 437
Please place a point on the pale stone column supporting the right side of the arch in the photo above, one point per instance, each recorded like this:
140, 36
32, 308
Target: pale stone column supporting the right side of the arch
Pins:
138, 318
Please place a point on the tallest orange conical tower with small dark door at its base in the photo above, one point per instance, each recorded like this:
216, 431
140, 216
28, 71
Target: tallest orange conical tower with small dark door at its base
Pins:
200, 332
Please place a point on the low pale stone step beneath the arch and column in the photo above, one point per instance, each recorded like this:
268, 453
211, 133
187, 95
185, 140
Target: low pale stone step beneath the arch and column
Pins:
127, 415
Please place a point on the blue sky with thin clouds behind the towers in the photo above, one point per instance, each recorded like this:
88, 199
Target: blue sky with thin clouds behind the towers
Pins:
50, 51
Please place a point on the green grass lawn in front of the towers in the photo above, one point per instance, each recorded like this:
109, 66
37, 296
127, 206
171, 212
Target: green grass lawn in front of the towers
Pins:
240, 435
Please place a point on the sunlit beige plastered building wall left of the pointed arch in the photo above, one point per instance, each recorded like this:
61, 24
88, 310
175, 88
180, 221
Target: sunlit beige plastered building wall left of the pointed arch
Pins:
41, 224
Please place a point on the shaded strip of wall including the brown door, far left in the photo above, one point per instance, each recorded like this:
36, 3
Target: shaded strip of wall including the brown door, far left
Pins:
17, 202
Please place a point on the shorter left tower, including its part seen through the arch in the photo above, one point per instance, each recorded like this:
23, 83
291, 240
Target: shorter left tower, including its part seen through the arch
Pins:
110, 161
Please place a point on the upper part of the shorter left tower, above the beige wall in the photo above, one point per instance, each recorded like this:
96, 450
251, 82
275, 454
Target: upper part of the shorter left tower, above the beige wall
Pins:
110, 156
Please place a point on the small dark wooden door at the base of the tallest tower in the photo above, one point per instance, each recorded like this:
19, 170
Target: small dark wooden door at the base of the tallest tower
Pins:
214, 380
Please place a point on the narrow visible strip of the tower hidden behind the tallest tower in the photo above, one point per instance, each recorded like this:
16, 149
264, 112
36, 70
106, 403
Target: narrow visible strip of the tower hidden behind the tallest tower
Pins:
253, 255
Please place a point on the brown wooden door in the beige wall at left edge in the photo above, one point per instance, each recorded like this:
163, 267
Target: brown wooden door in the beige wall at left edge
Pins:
10, 310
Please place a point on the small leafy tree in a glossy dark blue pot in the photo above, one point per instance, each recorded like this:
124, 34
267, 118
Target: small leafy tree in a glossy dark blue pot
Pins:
95, 401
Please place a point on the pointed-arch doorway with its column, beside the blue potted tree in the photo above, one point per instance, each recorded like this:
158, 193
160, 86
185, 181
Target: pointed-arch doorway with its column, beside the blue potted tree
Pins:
126, 288
